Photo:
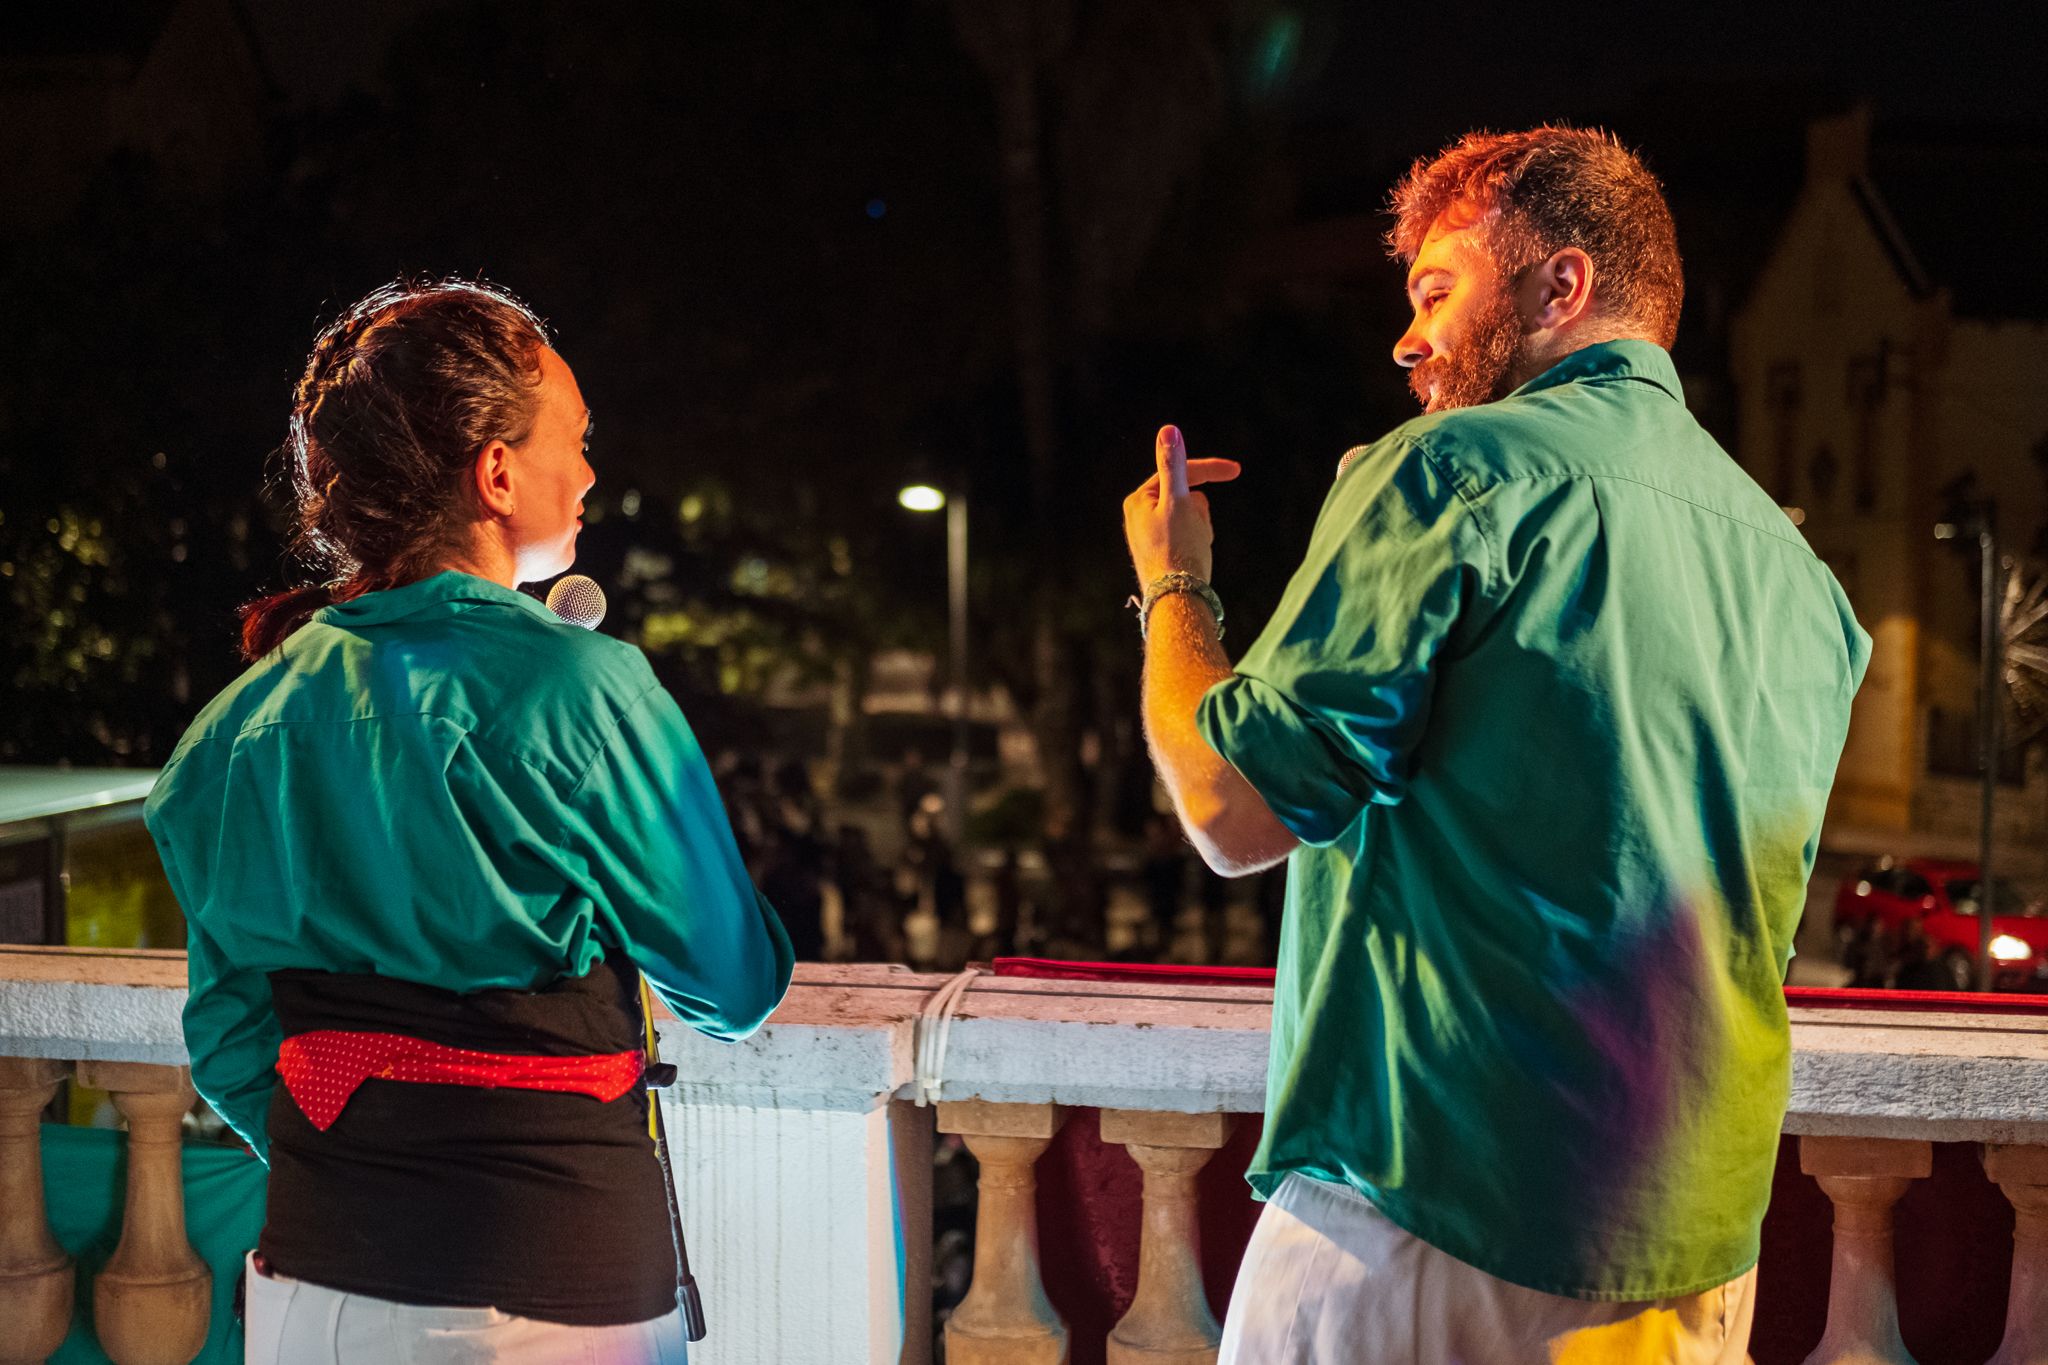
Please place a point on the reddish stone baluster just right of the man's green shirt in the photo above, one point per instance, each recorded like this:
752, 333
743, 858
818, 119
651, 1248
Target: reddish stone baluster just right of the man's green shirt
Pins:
1865, 1178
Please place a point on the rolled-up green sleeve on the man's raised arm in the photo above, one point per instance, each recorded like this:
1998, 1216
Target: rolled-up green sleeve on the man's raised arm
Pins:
1326, 709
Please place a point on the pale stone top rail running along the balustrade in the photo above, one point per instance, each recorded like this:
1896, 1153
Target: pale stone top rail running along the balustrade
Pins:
847, 1039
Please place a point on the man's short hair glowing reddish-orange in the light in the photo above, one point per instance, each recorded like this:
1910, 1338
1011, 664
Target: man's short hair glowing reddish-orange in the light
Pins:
1543, 191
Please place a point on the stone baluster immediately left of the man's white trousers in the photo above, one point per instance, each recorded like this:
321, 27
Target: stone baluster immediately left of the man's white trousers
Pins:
1168, 1321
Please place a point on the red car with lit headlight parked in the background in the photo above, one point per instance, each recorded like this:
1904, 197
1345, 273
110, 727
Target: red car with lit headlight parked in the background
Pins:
1914, 924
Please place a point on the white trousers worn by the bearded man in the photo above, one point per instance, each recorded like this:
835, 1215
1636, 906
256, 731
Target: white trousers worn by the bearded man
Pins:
1330, 1280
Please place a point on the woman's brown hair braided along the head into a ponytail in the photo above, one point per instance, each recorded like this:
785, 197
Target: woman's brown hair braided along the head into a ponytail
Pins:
398, 398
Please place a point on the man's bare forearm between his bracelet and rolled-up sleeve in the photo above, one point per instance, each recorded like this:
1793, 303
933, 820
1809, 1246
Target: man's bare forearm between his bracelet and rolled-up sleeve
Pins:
1226, 818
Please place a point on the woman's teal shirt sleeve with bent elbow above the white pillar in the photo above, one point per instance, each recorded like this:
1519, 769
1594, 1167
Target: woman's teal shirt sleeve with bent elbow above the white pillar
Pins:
669, 879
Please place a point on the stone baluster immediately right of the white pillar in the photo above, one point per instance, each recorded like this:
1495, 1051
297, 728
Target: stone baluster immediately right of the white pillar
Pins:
1005, 1319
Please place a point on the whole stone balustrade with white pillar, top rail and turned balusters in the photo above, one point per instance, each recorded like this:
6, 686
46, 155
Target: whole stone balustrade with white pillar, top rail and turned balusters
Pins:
804, 1159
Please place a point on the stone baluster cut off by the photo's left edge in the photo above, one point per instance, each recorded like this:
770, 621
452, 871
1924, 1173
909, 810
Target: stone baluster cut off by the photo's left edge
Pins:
36, 1276
